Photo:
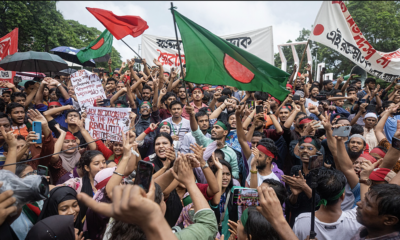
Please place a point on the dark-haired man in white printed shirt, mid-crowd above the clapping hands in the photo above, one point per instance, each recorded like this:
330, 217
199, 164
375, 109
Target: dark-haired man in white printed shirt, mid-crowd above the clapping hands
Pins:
179, 125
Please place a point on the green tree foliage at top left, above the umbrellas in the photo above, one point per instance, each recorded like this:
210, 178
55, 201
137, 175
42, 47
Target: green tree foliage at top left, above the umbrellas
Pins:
42, 27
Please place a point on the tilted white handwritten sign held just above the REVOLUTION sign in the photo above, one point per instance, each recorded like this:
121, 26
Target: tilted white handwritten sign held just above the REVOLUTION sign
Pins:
87, 87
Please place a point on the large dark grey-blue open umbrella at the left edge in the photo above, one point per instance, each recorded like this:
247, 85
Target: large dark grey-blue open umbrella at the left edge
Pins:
33, 62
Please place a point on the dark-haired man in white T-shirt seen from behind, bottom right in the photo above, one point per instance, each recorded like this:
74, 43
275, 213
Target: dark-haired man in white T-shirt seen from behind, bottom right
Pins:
330, 221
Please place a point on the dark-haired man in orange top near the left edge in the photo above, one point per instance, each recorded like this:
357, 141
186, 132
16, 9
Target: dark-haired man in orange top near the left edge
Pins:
16, 112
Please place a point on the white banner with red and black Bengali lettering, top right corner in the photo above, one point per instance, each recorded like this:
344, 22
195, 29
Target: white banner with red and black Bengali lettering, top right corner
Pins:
335, 28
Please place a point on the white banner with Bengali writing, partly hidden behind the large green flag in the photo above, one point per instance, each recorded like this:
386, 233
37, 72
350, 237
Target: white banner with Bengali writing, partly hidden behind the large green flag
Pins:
257, 42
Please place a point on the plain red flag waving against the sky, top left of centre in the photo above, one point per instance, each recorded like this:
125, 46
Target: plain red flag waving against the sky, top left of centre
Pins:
120, 26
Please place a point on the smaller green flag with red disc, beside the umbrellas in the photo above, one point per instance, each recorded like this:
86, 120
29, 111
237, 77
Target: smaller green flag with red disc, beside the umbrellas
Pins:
98, 50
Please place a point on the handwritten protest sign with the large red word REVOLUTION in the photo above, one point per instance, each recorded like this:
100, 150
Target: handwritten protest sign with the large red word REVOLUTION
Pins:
102, 122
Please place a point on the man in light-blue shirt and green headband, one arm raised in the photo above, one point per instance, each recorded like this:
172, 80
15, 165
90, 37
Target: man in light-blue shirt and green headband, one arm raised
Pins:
219, 132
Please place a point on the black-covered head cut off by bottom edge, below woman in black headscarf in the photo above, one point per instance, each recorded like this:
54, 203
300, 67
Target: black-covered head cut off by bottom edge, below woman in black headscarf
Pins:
60, 227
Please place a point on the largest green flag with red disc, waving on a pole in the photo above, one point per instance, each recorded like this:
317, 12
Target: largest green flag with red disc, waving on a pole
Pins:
212, 60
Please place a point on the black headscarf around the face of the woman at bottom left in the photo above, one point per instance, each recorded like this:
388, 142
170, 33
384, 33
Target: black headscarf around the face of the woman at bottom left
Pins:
57, 196
